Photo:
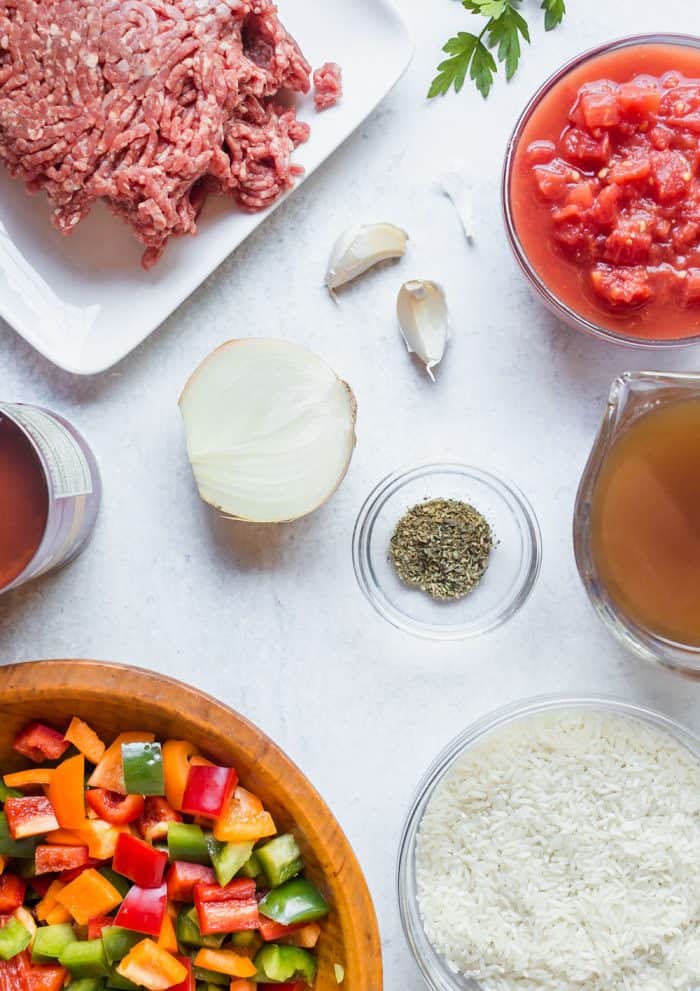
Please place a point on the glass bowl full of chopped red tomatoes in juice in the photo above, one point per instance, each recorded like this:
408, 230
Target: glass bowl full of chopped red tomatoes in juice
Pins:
601, 191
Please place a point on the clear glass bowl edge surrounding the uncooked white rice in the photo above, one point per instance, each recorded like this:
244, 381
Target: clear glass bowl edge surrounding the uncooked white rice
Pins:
435, 970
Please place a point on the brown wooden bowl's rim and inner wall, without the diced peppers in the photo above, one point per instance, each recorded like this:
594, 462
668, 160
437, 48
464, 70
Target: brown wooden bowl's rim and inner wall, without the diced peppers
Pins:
114, 698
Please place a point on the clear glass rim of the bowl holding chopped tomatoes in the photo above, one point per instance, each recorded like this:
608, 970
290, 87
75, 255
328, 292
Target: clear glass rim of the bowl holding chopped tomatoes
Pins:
553, 303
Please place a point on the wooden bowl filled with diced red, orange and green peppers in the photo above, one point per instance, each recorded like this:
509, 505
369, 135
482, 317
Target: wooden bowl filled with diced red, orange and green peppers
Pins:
152, 838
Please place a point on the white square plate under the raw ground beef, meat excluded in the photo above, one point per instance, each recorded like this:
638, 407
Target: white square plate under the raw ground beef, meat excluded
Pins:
84, 301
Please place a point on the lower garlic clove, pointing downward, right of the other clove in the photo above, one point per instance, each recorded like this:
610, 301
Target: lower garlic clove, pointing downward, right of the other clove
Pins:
422, 311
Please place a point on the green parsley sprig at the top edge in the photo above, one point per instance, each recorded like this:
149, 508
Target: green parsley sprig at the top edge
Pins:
502, 33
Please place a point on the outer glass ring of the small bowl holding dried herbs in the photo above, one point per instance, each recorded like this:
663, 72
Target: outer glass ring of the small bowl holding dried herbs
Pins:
371, 587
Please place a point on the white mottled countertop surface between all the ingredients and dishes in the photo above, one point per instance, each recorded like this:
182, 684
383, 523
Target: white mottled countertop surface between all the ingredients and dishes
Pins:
271, 619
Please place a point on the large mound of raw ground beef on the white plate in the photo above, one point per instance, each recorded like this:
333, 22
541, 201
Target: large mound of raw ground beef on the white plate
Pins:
151, 105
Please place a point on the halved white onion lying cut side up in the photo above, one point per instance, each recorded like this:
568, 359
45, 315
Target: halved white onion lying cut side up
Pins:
270, 429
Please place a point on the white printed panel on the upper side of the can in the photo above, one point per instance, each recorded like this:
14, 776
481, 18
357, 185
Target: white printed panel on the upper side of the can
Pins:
69, 472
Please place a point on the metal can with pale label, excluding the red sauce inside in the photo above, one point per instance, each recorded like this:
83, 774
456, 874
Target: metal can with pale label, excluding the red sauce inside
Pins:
66, 467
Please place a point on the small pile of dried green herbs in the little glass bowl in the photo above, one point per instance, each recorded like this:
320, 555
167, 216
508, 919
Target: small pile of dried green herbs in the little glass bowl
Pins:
442, 547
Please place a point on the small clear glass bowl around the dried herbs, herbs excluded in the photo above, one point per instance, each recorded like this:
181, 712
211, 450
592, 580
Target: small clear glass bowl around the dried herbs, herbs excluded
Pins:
513, 565
